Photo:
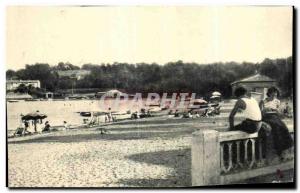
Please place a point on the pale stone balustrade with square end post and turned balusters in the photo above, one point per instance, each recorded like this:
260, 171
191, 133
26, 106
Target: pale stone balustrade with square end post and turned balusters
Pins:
228, 157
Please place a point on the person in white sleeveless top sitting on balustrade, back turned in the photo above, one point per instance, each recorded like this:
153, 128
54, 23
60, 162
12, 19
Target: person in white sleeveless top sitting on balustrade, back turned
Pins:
251, 111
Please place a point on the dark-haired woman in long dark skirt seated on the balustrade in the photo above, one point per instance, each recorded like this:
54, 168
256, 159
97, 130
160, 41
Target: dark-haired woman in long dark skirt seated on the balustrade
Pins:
280, 133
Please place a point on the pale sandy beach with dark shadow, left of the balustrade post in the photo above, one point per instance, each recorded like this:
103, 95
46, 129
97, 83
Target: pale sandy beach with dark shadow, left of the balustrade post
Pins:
129, 155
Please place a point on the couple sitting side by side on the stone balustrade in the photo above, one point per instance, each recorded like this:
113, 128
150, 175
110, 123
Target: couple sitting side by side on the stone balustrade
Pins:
263, 117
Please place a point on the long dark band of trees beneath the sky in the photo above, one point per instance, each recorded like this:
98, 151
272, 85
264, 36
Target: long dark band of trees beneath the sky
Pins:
171, 77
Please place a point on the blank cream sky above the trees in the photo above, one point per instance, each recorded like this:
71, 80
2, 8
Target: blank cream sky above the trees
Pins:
161, 34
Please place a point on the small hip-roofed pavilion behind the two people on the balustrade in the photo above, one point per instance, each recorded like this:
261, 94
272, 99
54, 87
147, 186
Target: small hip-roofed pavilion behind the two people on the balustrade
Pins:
257, 84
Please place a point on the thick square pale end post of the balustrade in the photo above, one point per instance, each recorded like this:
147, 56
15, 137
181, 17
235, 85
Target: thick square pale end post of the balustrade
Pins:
206, 169
